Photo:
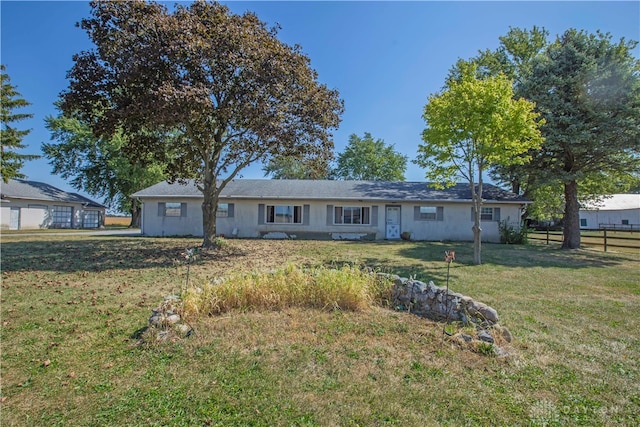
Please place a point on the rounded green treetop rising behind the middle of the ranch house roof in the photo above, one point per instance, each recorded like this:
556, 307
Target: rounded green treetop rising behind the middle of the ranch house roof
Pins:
368, 159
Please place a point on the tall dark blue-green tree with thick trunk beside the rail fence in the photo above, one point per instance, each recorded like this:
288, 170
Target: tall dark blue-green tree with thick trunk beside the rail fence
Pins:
587, 89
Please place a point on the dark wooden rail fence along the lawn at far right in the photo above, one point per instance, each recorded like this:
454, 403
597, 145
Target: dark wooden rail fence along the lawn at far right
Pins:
605, 238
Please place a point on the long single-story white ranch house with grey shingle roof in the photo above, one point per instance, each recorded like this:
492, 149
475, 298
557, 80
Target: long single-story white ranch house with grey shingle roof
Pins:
323, 209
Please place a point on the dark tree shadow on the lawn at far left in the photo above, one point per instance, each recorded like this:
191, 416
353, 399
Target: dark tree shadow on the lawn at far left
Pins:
99, 254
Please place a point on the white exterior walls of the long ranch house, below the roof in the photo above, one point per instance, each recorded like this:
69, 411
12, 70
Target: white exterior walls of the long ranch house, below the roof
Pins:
456, 223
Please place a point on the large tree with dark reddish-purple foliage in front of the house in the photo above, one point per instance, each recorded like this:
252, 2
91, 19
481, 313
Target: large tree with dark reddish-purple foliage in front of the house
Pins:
225, 89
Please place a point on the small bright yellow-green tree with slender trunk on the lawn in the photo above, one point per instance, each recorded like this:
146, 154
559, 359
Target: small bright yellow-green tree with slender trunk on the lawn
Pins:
472, 125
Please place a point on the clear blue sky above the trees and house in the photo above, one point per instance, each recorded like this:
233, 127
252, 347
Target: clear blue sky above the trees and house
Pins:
385, 58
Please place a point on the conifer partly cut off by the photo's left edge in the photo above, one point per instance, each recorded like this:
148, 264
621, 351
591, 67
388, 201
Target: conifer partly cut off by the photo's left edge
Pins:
11, 161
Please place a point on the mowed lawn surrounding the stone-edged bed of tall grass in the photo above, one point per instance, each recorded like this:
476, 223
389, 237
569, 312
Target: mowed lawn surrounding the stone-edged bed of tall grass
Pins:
82, 303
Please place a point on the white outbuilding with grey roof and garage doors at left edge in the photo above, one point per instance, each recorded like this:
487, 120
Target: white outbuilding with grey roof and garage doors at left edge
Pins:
32, 205
